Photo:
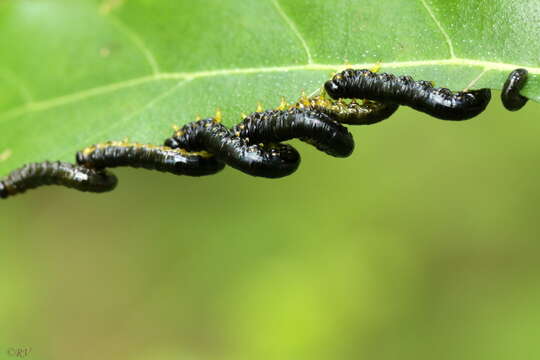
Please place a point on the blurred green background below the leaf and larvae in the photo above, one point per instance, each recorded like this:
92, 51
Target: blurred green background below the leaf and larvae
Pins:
422, 245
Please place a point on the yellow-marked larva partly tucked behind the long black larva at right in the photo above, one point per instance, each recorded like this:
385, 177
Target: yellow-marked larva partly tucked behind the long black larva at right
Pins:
352, 113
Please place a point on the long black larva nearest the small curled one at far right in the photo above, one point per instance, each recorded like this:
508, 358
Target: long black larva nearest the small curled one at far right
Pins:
420, 95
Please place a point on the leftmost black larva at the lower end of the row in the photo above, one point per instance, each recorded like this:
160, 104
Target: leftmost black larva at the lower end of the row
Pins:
34, 175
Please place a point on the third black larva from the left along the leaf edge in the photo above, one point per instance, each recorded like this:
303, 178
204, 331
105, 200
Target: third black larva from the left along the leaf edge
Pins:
265, 160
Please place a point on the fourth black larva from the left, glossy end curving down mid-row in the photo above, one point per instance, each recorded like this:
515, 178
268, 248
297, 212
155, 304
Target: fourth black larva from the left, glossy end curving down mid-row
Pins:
309, 125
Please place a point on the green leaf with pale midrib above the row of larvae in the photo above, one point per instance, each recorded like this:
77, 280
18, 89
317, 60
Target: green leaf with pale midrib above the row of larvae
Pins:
77, 72
